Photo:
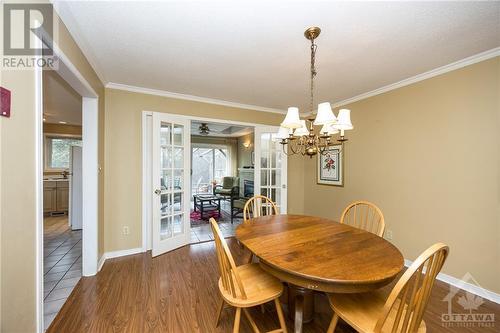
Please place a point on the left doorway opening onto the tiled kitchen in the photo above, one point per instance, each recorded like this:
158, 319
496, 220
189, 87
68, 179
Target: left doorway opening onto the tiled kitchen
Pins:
62, 192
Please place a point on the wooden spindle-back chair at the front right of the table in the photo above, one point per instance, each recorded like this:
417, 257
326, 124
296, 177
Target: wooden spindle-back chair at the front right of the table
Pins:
403, 310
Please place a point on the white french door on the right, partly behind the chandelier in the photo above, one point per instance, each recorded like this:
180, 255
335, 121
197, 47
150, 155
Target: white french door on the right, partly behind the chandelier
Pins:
270, 167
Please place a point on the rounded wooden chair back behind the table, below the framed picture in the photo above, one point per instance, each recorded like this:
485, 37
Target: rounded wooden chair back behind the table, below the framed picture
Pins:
364, 215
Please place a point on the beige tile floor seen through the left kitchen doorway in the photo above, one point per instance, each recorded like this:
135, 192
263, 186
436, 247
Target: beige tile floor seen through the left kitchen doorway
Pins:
62, 264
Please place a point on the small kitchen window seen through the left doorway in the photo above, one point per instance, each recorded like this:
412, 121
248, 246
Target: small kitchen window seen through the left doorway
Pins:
57, 151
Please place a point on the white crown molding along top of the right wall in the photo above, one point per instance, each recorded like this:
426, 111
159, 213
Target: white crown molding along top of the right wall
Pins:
424, 76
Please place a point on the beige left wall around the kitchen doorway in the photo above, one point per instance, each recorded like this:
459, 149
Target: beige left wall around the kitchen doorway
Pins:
18, 233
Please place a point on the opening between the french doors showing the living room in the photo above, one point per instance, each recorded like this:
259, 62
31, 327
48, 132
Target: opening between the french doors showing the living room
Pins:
221, 177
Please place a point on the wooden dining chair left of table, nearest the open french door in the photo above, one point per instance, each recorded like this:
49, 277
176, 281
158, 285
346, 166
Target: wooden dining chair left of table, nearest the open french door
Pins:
244, 286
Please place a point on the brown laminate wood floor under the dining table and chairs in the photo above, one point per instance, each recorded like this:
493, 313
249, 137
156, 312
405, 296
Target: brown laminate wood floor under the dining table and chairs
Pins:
177, 292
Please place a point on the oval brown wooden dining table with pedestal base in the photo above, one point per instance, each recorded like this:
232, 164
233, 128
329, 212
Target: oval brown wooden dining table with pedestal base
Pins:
312, 253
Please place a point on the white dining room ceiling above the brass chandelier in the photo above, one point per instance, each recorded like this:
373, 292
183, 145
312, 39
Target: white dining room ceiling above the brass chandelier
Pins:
255, 52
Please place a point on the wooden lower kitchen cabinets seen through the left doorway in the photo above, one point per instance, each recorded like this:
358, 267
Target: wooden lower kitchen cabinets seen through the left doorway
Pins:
55, 196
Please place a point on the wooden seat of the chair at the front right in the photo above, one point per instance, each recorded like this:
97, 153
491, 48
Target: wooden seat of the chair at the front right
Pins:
362, 311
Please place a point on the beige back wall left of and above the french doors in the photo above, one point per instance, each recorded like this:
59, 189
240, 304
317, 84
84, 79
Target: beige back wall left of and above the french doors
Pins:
123, 155
